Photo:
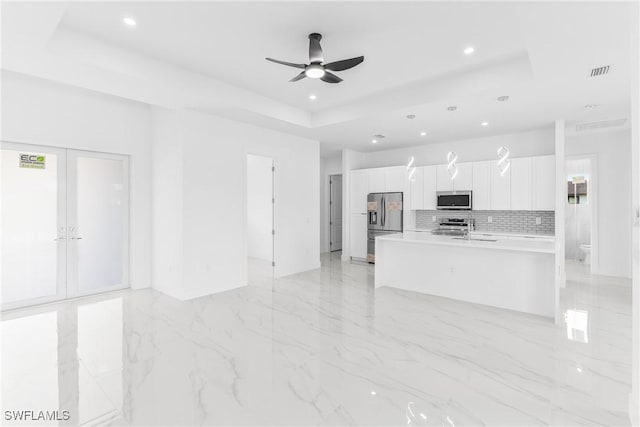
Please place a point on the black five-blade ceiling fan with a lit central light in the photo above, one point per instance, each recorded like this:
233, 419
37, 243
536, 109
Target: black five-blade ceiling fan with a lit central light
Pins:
316, 69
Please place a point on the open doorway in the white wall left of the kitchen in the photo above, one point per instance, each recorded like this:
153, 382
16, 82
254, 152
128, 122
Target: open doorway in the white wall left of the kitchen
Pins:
260, 218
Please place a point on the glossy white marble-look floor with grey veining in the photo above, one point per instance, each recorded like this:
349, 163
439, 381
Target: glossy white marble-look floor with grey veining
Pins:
322, 348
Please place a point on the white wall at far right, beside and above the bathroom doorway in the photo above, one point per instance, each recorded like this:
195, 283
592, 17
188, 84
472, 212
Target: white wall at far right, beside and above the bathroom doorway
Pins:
613, 184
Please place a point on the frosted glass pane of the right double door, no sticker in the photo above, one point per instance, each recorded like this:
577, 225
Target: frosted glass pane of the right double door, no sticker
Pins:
100, 223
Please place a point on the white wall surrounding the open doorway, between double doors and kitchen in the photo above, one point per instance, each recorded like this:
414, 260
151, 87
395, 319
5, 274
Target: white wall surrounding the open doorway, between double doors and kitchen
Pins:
212, 201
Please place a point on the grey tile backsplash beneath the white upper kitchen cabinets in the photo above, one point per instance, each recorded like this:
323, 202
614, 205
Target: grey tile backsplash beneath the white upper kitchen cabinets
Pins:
502, 221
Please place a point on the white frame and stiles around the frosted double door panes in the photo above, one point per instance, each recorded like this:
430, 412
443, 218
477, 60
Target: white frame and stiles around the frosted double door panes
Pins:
62, 288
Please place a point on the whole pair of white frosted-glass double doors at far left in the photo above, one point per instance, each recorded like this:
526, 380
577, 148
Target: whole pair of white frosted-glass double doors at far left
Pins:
65, 223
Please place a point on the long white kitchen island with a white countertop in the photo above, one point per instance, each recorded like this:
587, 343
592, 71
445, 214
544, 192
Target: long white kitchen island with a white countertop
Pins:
515, 273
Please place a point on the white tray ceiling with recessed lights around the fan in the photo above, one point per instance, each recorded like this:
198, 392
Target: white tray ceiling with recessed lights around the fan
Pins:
209, 56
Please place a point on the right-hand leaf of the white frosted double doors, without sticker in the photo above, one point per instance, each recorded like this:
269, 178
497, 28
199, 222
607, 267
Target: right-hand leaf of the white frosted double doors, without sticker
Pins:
98, 222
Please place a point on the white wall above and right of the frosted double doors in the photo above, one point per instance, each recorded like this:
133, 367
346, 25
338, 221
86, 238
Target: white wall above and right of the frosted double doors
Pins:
37, 111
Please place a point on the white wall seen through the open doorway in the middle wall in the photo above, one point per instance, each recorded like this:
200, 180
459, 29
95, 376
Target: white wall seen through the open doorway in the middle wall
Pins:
259, 209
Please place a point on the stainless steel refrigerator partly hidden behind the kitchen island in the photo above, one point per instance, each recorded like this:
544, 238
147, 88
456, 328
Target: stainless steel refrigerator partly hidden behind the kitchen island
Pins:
384, 216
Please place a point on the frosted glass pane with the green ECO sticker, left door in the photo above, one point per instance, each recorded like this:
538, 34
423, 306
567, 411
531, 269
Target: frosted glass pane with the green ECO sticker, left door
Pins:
29, 225
